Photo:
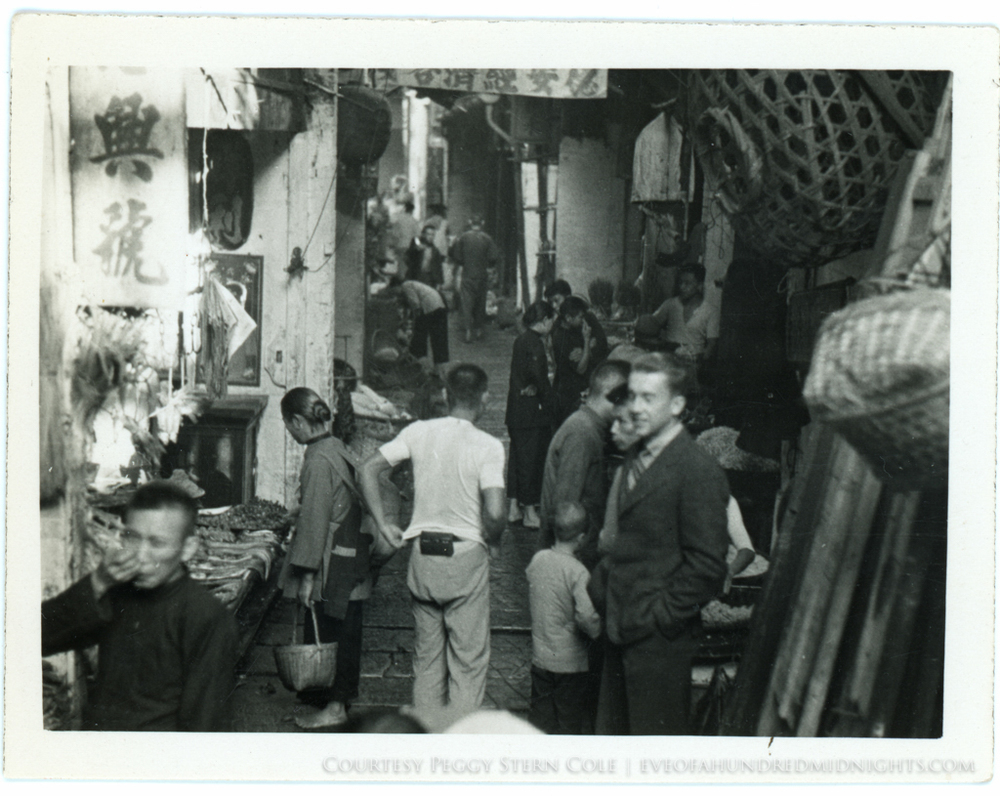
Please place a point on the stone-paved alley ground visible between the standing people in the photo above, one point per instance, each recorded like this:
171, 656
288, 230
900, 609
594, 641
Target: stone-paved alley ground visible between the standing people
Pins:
263, 704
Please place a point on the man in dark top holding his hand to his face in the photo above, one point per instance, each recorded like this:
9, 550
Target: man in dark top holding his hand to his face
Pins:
166, 646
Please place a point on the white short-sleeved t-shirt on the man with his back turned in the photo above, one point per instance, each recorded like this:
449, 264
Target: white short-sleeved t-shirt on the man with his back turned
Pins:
453, 461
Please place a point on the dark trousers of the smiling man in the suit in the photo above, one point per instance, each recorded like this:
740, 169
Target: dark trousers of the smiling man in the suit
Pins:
646, 687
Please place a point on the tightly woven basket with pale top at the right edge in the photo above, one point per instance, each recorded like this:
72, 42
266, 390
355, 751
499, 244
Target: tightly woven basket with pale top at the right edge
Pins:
880, 377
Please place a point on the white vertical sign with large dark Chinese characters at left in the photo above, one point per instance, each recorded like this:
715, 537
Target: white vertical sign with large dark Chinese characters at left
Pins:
129, 176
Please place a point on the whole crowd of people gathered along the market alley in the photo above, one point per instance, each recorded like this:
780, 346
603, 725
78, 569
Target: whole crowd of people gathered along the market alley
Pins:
634, 522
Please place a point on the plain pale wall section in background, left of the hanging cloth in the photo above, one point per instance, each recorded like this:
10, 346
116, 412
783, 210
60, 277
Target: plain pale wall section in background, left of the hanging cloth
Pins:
591, 214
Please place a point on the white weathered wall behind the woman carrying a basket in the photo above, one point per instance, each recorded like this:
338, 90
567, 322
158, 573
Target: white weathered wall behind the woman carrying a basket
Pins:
293, 175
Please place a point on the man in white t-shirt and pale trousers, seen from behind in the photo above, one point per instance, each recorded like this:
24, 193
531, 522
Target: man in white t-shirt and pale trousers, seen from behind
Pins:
458, 514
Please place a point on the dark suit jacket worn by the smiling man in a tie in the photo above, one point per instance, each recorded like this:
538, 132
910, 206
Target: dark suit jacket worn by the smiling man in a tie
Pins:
669, 556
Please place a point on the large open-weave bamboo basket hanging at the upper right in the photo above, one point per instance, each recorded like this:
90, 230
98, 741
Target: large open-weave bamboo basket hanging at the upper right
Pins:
802, 160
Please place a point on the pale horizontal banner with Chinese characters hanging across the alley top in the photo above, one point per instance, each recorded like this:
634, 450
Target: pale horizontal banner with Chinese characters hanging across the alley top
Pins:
561, 83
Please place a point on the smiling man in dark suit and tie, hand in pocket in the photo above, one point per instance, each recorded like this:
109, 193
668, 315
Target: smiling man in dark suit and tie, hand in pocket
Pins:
665, 542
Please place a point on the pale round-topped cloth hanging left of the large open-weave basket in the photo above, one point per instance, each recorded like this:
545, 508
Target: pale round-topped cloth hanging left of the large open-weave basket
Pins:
657, 163
